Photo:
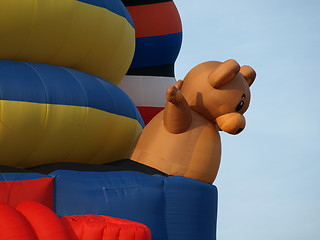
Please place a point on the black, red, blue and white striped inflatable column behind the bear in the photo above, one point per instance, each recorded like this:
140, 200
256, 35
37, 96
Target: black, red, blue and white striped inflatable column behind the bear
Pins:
158, 41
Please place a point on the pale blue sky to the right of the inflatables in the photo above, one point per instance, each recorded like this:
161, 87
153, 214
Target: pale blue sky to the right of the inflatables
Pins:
269, 178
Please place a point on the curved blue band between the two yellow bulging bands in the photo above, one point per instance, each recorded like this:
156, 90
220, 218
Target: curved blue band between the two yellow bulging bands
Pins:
43, 83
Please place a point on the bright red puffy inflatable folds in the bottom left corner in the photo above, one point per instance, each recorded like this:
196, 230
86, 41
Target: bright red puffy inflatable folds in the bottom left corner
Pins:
34, 221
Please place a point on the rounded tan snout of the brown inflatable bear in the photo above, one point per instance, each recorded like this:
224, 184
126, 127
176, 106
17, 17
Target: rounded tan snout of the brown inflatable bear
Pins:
232, 123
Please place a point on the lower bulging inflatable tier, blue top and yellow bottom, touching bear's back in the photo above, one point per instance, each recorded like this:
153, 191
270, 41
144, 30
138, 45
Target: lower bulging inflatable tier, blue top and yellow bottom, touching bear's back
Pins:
53, 114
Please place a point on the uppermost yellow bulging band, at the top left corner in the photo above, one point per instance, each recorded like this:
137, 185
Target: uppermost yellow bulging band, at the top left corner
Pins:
68, 33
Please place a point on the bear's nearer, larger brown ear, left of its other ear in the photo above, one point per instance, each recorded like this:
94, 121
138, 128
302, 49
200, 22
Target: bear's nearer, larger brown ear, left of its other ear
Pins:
224, 73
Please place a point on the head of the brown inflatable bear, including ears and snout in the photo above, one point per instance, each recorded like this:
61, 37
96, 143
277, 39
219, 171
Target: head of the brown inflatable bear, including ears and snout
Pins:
219, 91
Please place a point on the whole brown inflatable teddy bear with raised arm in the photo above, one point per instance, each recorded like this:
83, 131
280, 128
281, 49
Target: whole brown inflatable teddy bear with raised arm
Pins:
184, 138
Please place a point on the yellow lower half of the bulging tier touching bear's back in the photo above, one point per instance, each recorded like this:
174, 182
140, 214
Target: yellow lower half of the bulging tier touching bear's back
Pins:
33, 134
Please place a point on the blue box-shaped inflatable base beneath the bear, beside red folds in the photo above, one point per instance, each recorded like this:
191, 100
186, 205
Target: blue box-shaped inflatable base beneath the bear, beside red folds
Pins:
174, 208
